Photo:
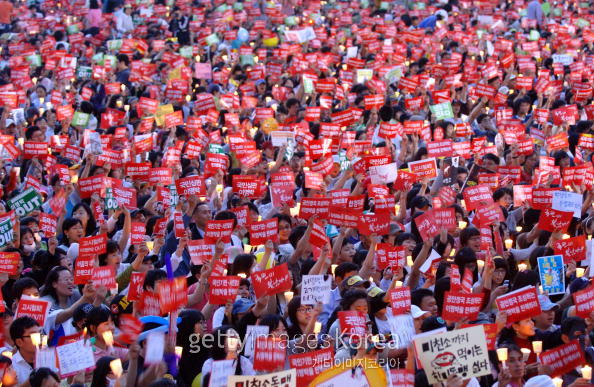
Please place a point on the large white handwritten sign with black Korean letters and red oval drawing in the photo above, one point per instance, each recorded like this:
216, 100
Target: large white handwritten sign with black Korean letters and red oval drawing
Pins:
462, 352
